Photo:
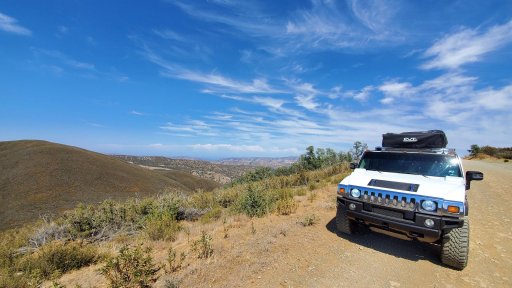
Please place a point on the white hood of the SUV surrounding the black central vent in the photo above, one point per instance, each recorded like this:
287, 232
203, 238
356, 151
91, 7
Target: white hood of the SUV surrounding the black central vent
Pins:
447, 188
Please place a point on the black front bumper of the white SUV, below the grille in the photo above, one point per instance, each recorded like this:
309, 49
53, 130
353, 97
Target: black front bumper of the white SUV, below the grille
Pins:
410, 224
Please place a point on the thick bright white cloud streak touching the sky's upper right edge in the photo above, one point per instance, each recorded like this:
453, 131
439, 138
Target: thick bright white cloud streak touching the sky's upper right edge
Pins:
466, 46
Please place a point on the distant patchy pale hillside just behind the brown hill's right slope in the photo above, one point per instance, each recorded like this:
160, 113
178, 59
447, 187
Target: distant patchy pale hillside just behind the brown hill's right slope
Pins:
207, 170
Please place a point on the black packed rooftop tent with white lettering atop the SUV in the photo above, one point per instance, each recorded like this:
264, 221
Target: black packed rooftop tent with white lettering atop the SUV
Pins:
415, 140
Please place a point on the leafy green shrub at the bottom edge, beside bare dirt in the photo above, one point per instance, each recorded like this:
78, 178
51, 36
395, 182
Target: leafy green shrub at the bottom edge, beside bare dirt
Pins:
133, 267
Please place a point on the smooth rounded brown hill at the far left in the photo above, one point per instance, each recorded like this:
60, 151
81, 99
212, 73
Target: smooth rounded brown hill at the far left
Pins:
38, 177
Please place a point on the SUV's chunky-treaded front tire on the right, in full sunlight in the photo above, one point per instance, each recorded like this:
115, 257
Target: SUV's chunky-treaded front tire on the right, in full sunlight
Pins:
455, 247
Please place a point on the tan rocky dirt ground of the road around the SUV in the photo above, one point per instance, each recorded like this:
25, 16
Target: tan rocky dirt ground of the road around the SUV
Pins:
277, 251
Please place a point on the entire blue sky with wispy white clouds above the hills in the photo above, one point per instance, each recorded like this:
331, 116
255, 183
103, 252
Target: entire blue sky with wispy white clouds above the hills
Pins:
224, 78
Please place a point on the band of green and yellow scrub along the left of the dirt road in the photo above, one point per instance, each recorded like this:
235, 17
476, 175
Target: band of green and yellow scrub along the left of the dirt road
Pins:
51, 247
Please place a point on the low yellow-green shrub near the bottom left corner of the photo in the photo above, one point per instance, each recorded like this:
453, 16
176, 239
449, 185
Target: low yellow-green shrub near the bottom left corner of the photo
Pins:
57, 258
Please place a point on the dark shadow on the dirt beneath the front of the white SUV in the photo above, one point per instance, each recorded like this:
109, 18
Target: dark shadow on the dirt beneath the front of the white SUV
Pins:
410, 250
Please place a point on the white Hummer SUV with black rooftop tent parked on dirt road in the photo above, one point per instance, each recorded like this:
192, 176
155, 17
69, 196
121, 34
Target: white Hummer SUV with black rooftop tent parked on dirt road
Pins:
414, 187
